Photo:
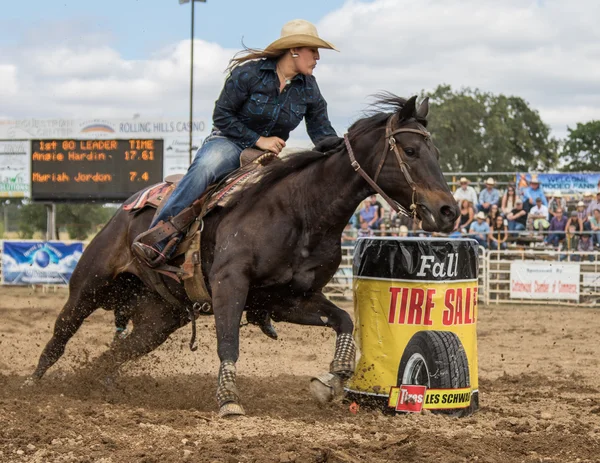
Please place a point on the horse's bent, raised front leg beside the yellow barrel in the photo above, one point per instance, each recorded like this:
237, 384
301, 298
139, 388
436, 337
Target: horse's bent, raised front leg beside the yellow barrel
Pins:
317, 310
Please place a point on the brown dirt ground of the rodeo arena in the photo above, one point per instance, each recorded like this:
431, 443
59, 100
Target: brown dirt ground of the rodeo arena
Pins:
539, 394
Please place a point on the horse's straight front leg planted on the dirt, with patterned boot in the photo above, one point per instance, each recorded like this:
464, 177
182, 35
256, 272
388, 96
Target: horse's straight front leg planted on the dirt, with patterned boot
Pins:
229, 298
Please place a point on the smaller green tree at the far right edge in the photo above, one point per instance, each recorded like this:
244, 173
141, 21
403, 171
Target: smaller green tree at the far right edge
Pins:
582, 148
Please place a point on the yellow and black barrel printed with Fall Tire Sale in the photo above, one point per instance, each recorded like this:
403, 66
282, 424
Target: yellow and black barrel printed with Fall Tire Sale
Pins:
415, 302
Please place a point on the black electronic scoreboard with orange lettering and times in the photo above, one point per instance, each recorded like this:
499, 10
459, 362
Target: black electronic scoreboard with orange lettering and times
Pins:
93, 170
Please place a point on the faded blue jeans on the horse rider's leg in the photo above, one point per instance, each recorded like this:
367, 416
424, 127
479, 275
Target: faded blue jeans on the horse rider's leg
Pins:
217, 157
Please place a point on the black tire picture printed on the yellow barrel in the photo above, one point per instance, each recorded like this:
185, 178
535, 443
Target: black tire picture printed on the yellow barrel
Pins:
435, 359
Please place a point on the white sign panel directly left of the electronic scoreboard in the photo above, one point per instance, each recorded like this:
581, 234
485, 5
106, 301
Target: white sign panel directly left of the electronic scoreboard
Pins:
14, 168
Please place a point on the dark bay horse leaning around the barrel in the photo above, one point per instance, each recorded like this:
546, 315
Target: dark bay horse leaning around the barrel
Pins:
273, 249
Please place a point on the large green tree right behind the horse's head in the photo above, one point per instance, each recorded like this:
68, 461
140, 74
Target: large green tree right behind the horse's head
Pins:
482, 132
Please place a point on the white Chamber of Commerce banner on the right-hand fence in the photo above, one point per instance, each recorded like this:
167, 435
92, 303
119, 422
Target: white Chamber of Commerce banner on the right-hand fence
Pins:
544, 280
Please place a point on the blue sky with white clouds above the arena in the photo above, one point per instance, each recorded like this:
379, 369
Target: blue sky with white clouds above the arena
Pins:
116, 58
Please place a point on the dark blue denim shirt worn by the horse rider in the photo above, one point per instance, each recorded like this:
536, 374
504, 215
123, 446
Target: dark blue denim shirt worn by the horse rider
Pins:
250, 105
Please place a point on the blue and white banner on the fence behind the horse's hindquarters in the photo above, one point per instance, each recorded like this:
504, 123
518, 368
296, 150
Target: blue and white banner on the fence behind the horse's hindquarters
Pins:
39, 262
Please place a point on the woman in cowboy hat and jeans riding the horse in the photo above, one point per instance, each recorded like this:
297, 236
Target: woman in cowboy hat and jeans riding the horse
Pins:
266, 95
